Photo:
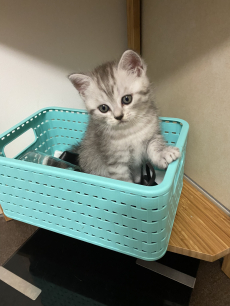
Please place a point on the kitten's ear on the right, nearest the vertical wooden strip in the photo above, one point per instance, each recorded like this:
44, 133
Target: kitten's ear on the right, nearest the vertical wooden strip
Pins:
132, 63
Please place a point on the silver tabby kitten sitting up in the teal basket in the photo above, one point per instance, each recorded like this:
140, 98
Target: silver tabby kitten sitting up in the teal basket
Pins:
123, 128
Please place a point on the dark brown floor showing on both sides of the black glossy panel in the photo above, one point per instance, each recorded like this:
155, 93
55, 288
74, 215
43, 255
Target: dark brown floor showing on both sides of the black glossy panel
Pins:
212, 285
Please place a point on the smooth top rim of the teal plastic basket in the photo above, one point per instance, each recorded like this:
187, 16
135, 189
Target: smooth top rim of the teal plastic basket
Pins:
95, 180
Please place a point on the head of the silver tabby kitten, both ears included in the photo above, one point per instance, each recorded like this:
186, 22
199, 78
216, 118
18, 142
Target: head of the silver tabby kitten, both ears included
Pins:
115, 93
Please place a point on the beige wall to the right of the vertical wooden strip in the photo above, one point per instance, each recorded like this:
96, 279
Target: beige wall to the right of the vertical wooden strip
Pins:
186, 45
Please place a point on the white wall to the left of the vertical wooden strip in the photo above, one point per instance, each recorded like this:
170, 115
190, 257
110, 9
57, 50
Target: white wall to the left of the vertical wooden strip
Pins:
41, 42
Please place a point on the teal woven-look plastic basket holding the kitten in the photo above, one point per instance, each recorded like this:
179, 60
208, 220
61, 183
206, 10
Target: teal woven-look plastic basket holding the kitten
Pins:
132, 219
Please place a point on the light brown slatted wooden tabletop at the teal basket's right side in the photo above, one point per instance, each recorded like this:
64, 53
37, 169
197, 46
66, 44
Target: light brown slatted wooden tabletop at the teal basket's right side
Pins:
201, 229
